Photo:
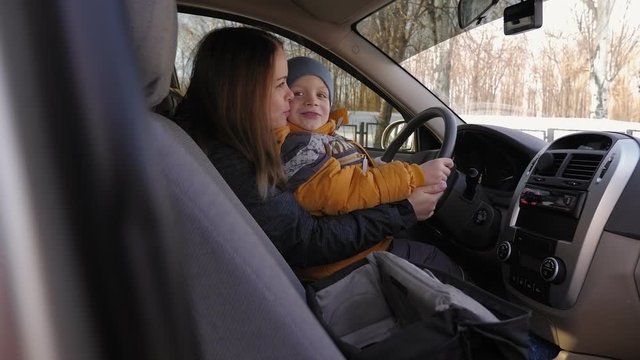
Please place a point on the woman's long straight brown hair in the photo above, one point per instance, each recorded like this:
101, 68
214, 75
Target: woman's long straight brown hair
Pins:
228, 98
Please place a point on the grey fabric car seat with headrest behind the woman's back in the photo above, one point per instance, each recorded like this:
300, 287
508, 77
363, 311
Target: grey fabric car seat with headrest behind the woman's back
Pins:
245, 301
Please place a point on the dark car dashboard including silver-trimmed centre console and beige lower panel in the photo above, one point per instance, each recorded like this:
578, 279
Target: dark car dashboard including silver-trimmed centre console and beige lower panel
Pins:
568, 240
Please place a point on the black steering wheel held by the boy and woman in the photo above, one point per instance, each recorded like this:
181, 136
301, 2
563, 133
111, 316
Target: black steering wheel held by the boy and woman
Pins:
464, 209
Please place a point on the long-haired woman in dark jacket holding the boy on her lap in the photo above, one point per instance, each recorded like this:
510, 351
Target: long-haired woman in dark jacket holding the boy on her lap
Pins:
237, 95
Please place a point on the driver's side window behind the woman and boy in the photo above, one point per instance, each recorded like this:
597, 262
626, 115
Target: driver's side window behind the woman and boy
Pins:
369, 114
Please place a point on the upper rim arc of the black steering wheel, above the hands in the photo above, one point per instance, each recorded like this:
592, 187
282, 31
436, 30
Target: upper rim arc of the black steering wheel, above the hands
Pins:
448, 140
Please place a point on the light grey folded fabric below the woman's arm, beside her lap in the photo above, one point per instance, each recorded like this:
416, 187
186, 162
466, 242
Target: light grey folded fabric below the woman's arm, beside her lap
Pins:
376, 300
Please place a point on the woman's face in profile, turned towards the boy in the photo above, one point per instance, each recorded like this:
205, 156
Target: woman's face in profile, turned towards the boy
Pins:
281, 95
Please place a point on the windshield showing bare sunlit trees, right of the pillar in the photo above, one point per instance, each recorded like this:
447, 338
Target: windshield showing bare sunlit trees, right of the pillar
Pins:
580, 71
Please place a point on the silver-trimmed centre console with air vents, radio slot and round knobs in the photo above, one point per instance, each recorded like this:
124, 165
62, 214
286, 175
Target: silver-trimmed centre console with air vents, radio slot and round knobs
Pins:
570, 245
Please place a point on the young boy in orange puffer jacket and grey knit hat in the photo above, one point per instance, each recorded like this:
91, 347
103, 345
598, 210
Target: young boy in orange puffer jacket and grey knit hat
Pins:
328, 173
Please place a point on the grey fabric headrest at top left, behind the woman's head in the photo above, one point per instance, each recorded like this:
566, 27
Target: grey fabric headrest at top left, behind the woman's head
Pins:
154, 29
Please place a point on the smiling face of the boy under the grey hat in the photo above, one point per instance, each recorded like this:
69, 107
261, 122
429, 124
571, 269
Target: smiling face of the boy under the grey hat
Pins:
310, 106
